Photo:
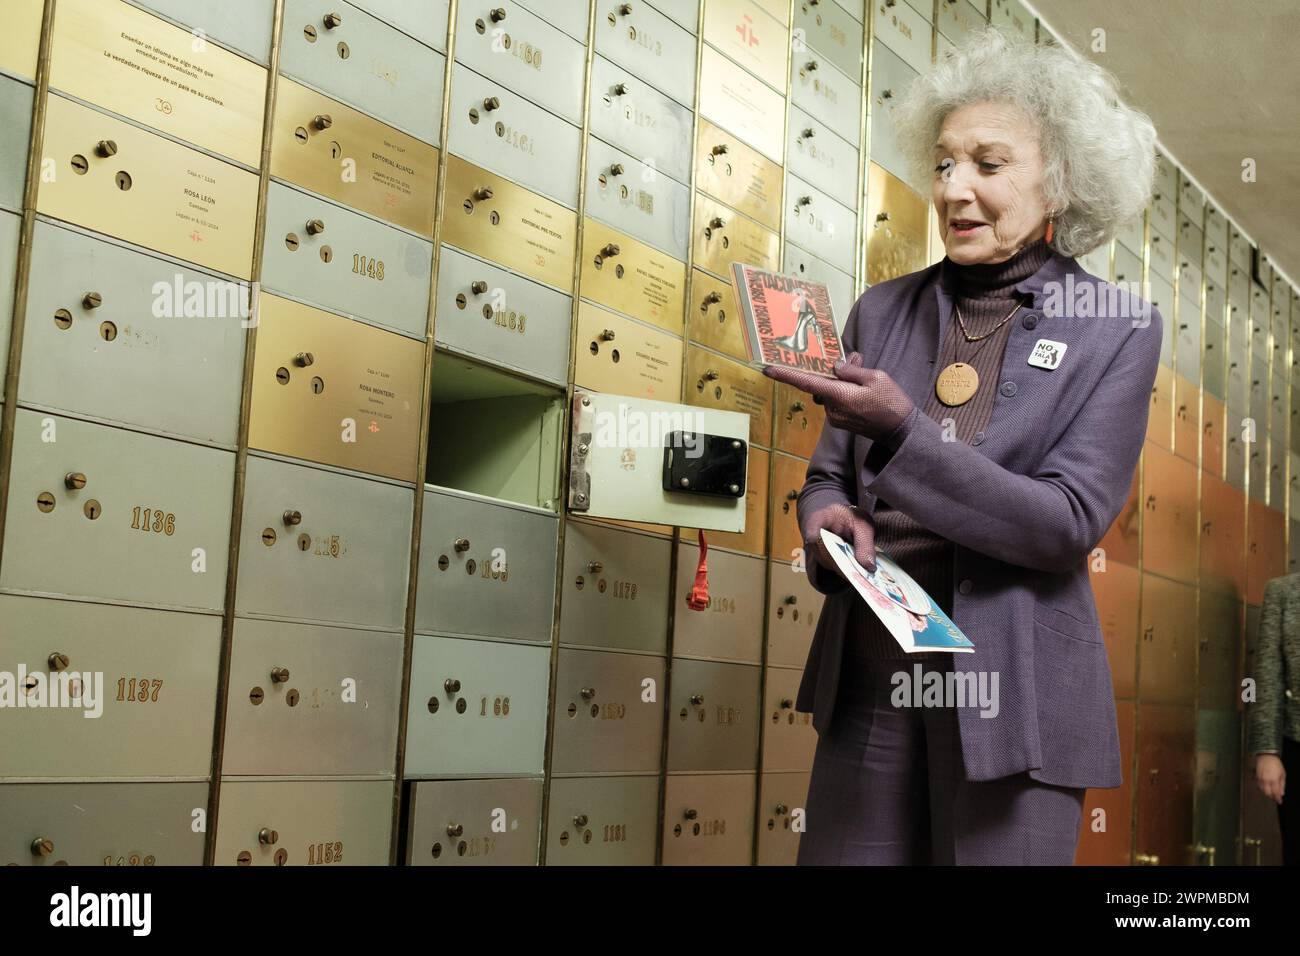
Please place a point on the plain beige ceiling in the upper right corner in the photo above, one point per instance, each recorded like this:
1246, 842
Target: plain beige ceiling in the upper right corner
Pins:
1220, 79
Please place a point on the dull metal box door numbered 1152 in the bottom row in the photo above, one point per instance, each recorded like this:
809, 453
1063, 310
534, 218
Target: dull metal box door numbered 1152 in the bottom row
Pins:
305, 824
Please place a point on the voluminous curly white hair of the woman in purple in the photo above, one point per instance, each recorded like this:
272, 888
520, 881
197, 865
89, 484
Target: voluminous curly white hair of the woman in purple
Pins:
1099, 154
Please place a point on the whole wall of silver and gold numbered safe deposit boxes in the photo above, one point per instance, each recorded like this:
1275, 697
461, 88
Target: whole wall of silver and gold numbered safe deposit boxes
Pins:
309, 312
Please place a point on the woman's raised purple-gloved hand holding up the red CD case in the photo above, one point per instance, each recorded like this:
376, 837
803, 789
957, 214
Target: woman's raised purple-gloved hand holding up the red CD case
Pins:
860, 400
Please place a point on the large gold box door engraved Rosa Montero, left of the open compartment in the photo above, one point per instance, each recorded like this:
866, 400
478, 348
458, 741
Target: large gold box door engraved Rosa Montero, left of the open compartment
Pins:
333, 391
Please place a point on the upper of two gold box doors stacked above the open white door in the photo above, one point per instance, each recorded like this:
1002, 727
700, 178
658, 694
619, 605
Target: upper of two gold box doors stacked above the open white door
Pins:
632, 278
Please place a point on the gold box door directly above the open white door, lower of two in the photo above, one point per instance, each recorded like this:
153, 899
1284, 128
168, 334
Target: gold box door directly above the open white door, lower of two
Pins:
621, 357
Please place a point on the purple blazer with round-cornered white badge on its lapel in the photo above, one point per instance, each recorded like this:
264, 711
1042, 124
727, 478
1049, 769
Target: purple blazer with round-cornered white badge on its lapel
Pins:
1024, 503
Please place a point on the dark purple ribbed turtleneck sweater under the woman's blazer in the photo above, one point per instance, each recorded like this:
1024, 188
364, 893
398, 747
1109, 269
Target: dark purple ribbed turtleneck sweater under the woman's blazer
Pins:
985, 295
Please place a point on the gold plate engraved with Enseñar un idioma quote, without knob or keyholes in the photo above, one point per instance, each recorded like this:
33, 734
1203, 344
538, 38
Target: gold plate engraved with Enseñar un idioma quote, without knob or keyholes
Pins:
132, 63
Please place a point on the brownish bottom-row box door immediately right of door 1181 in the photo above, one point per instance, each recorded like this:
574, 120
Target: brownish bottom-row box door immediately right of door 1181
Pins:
709, 820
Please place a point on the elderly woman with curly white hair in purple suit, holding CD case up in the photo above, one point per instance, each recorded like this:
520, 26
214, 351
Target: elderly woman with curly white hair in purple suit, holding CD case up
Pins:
985, 435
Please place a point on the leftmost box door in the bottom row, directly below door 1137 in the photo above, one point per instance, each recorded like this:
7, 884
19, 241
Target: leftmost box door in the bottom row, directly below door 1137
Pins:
102, 824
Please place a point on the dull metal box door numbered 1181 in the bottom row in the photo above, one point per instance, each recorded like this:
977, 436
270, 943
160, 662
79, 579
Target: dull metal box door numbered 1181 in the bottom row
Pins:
604, 821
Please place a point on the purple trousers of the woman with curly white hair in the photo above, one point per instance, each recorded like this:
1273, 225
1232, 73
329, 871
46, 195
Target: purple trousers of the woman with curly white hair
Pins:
889, 788
